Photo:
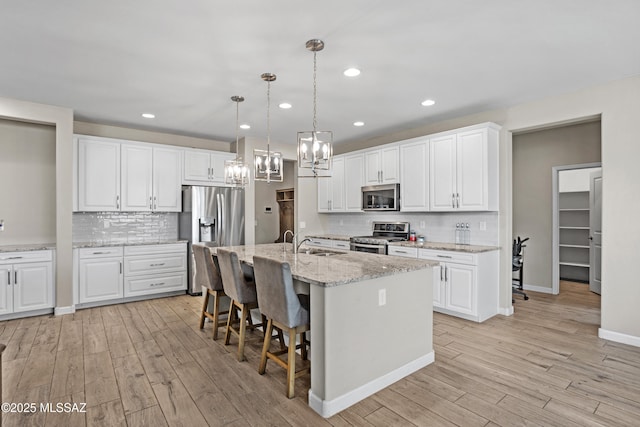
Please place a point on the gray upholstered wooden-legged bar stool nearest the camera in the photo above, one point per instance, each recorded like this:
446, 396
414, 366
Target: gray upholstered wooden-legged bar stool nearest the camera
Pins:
284, 309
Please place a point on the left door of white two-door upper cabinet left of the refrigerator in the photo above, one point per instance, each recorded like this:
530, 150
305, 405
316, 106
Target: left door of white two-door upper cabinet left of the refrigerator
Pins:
136, 184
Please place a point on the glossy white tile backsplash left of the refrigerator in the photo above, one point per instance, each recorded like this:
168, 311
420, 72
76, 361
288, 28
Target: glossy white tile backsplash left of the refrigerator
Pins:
124, 227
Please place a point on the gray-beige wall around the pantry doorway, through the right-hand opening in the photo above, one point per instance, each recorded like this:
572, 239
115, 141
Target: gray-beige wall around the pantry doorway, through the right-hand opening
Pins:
534, 154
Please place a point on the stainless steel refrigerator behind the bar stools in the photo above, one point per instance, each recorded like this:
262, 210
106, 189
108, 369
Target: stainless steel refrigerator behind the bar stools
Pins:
210, 214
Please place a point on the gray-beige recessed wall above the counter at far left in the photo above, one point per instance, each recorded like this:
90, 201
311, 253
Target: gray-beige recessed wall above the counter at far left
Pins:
27, 182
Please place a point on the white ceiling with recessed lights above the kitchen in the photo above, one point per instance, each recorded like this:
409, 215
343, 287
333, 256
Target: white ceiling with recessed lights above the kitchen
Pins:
182, 60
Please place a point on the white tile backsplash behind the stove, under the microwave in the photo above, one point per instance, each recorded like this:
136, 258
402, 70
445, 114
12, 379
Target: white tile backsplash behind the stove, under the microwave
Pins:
435, 226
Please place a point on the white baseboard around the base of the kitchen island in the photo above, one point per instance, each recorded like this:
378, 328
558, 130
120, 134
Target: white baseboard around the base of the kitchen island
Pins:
328, 408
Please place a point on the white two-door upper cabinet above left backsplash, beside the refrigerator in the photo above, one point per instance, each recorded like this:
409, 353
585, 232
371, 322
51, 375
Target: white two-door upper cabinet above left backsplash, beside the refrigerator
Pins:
151, 178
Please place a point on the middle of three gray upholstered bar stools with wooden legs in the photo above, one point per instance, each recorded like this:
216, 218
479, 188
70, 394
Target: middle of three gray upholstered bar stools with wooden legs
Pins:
242, 291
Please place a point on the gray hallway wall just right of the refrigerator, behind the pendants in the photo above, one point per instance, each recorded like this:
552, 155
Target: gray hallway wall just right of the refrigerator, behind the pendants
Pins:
268, 224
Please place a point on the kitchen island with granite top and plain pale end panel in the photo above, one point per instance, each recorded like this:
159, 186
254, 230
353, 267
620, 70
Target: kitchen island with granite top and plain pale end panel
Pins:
371, 319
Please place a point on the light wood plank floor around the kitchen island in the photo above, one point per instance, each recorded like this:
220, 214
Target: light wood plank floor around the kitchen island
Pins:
147, 363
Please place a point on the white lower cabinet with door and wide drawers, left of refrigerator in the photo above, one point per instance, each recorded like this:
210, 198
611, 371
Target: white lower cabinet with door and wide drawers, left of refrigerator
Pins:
112, 274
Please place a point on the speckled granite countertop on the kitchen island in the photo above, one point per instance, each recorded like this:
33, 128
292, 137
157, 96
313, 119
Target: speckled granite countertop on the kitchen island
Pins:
334, 270
